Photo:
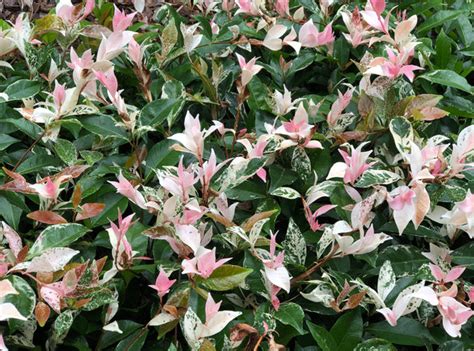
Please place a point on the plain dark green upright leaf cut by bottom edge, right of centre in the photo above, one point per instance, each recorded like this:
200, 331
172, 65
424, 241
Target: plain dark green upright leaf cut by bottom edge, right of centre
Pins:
347, 331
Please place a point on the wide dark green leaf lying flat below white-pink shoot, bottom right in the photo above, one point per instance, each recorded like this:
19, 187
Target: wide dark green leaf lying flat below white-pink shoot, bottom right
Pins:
408, 332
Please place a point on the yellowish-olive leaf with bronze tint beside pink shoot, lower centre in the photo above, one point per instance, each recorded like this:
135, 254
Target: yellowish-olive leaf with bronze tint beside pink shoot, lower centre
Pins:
226, 277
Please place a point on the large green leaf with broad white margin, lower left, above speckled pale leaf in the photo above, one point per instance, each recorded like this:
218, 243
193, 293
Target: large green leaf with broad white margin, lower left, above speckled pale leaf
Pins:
59, 235
